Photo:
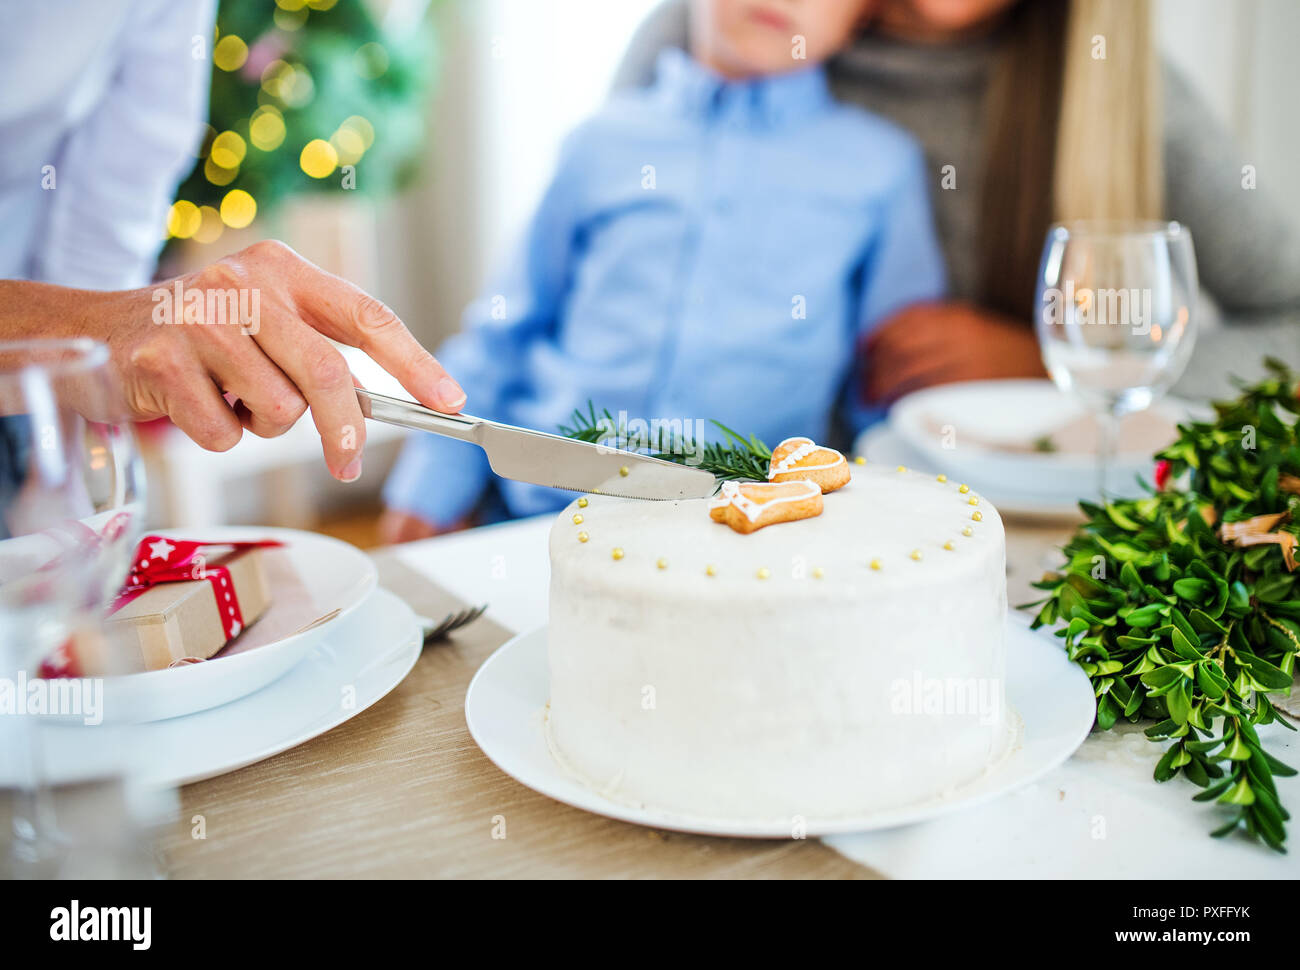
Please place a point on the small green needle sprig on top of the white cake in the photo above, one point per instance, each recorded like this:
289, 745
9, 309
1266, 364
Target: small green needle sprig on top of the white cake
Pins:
736, 457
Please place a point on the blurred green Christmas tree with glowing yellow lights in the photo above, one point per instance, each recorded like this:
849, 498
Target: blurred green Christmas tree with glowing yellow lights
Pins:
307, 97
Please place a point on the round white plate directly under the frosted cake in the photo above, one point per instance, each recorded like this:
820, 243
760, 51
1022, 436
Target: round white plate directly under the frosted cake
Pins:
505, 711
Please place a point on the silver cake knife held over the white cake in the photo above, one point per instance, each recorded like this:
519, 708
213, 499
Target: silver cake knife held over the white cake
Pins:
548, 460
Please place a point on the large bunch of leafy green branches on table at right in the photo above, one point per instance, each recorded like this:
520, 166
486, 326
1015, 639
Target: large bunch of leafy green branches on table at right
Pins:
1186, 613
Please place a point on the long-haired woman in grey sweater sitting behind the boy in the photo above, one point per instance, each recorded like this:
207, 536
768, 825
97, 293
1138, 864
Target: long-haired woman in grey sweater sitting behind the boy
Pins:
1035, 111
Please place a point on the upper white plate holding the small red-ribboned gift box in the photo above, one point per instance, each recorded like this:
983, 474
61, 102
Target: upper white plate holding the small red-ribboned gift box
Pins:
335, 574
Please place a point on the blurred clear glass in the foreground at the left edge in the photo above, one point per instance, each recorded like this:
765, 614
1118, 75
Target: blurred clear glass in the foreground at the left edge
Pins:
71, 513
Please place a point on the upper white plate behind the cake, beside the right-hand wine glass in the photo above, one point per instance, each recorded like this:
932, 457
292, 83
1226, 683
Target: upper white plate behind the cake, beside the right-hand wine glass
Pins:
982, 414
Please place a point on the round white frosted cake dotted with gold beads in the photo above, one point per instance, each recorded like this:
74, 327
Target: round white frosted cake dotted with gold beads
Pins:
830, 666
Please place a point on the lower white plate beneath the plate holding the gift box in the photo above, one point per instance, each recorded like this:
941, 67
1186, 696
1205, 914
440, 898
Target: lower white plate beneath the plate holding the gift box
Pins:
359, 661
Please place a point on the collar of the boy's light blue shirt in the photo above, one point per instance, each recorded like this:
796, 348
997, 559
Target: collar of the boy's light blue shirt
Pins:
775, 99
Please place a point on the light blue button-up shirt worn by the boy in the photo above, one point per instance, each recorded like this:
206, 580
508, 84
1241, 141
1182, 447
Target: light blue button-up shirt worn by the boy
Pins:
708, 250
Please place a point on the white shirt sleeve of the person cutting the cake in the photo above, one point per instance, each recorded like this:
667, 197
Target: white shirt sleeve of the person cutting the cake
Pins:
119, 170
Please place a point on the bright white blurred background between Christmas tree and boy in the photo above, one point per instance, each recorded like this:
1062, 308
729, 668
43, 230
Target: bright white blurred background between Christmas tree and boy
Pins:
517, 77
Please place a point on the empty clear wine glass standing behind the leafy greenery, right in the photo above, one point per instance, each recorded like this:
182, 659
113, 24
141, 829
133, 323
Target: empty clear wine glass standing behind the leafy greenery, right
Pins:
1116, 318
